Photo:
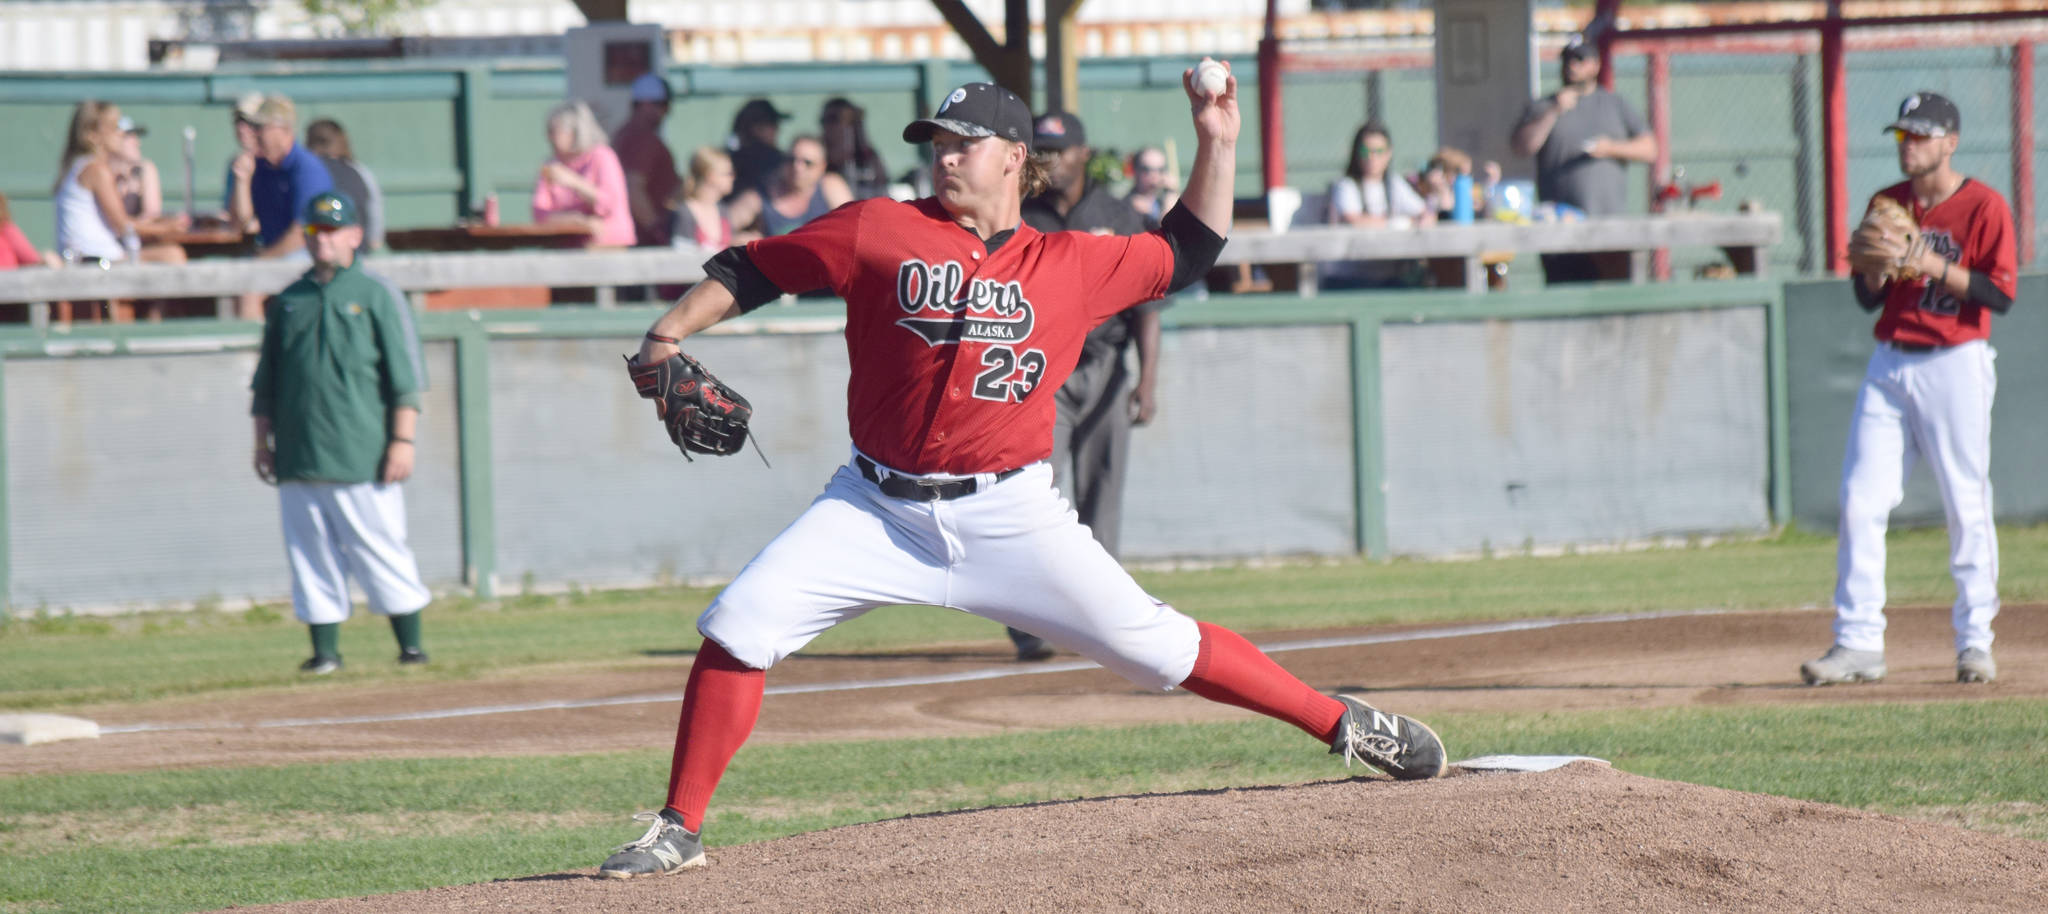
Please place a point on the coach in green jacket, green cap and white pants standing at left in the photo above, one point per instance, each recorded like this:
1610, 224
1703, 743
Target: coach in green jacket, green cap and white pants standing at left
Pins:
337, 399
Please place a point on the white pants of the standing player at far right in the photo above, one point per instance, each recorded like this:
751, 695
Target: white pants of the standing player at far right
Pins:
1934, 407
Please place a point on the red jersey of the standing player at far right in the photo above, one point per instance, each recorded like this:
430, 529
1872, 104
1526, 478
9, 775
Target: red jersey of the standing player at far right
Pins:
1971, 228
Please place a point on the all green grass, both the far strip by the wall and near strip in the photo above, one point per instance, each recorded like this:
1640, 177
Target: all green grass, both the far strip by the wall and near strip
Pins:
216, 837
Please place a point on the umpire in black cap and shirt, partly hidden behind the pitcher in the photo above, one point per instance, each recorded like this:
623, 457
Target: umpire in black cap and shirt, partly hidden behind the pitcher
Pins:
1099, 405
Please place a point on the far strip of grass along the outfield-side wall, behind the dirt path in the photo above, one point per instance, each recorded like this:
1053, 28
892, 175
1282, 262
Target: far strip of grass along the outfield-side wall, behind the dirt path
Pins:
65, 661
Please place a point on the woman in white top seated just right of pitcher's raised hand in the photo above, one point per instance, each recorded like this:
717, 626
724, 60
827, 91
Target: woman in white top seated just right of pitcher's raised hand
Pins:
1373, 196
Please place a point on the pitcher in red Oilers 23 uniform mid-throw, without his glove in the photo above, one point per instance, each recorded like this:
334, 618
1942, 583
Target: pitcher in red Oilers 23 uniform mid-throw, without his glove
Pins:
962, 323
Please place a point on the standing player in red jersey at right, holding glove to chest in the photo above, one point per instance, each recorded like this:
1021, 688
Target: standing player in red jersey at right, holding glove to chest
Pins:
1926, 394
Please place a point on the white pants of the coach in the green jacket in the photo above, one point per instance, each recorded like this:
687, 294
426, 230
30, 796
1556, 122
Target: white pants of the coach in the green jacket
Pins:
335, 532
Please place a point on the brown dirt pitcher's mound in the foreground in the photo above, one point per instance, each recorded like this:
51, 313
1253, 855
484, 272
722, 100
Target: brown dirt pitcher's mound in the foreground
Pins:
1576, 839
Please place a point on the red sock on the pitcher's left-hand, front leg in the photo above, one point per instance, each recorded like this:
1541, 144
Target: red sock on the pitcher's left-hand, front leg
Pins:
720, 708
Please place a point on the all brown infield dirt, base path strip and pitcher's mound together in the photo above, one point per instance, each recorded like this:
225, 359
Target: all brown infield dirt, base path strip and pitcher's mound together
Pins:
1578, 839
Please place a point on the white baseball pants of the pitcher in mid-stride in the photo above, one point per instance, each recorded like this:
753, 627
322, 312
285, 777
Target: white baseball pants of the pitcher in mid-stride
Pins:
1011, 552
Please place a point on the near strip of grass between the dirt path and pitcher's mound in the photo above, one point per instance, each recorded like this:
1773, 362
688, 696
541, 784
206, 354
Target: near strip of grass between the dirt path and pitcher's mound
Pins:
208, 839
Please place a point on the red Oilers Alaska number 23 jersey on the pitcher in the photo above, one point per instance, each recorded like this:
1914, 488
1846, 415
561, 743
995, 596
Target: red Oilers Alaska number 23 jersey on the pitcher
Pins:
957, 351
